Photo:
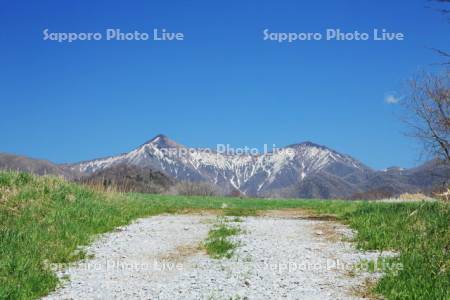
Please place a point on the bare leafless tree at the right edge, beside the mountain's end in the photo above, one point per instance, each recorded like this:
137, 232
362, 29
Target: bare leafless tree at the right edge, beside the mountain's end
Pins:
427, 107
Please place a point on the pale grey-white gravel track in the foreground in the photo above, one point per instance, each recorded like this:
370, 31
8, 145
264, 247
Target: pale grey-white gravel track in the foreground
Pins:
159, 258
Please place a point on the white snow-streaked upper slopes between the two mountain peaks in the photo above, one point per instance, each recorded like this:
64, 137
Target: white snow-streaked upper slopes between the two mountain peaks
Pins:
243, 172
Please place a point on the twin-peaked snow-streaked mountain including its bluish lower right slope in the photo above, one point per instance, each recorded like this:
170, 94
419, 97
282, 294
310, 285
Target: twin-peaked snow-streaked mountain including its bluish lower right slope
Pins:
283, 172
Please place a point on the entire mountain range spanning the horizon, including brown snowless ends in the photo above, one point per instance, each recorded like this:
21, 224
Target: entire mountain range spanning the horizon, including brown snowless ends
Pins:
301, 170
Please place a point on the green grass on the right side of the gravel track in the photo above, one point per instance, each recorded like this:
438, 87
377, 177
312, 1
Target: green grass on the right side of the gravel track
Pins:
420, 233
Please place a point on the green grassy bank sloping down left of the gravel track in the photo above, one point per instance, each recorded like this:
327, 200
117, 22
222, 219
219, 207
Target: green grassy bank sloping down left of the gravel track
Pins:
45, 220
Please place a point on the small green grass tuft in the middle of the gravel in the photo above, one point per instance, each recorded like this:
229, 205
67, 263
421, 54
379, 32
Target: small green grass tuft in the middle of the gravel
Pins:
217, 244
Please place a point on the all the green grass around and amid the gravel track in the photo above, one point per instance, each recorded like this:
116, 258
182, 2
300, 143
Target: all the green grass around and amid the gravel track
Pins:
45, 220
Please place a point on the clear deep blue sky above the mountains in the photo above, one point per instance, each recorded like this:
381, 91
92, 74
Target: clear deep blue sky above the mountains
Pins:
222, 85
